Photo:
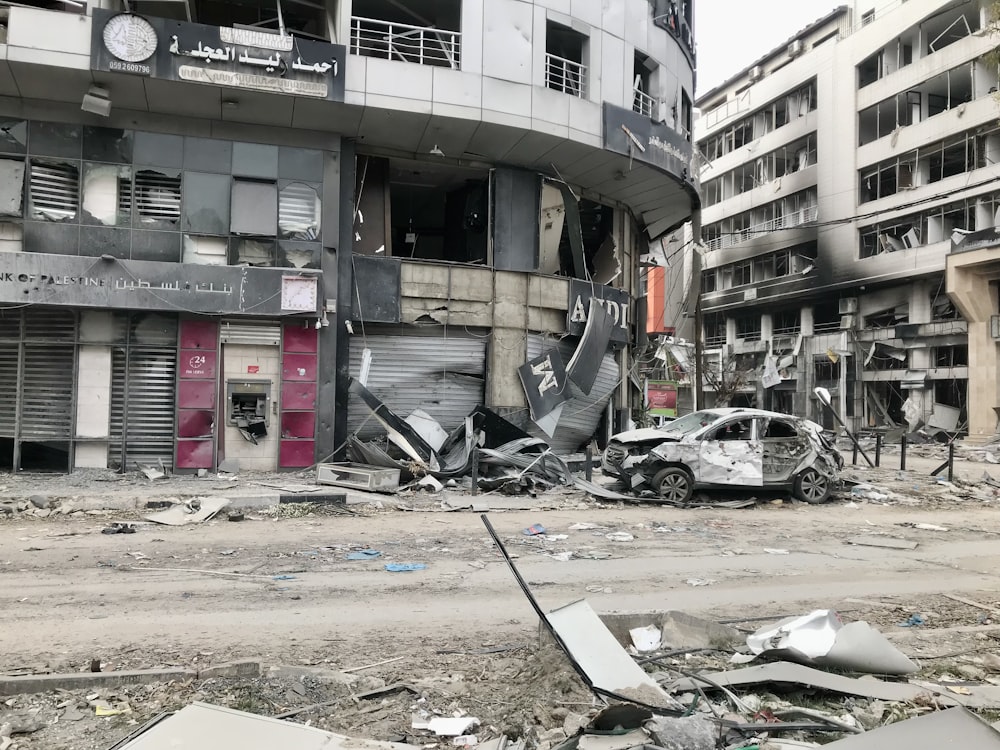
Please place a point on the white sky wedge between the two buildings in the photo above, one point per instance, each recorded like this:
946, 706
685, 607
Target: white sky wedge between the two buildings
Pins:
731, 34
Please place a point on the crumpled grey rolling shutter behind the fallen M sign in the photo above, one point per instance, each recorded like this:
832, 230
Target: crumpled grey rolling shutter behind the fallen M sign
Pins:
582, 413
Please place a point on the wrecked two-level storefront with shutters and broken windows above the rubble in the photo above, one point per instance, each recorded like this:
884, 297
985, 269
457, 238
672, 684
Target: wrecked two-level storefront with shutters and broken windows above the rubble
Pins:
500, 287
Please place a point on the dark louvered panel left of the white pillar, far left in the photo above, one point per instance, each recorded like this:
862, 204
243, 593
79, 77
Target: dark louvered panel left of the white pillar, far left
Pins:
47, 393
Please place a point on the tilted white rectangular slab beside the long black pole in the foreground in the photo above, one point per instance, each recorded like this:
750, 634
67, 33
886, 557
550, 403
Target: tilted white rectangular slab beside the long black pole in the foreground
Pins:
600, 656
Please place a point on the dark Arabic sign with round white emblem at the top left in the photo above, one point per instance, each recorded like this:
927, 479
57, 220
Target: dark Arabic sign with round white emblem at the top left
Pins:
220, 56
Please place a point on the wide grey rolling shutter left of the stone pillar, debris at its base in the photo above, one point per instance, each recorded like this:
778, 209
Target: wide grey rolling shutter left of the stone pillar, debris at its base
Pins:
443, 375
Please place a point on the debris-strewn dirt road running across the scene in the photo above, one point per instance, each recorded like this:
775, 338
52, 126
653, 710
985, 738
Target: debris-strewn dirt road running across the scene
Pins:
282, 588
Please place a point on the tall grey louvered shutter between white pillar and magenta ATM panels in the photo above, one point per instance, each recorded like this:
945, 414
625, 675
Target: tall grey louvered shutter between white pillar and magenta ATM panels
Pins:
142, 394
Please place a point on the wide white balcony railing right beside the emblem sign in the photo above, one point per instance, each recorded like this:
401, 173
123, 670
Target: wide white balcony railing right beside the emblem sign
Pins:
424, 45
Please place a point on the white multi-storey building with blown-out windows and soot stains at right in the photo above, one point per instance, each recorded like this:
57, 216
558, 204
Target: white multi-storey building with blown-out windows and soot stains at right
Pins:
849, 188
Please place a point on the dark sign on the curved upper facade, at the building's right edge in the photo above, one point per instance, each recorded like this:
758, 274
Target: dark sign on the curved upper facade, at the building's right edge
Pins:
655, 143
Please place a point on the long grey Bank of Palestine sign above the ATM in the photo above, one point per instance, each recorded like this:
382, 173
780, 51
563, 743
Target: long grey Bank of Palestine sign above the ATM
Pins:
37, 278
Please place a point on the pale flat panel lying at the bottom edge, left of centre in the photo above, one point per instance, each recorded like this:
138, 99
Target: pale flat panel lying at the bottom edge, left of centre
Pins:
201, 726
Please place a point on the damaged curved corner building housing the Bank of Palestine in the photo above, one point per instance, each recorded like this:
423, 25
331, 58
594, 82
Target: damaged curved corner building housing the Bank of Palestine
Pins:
217, 213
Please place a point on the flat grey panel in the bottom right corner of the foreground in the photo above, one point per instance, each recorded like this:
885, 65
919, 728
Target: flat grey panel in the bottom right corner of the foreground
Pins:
955, 727
